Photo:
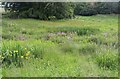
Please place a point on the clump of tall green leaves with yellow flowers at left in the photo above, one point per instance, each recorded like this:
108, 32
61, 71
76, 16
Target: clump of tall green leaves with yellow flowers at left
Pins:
14, 56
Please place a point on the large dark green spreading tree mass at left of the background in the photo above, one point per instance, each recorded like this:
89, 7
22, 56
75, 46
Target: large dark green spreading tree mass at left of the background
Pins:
41, 10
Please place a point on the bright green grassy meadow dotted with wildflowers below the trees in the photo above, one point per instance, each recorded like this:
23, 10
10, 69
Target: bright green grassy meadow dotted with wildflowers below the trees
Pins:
84, 46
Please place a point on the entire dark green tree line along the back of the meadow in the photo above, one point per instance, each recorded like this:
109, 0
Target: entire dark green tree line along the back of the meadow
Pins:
59, 10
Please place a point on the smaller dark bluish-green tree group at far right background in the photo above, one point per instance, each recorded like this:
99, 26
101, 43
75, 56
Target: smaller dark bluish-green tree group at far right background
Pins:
88, 9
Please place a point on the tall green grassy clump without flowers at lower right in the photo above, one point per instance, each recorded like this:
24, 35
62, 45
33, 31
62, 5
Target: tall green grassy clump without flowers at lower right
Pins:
107, 60
